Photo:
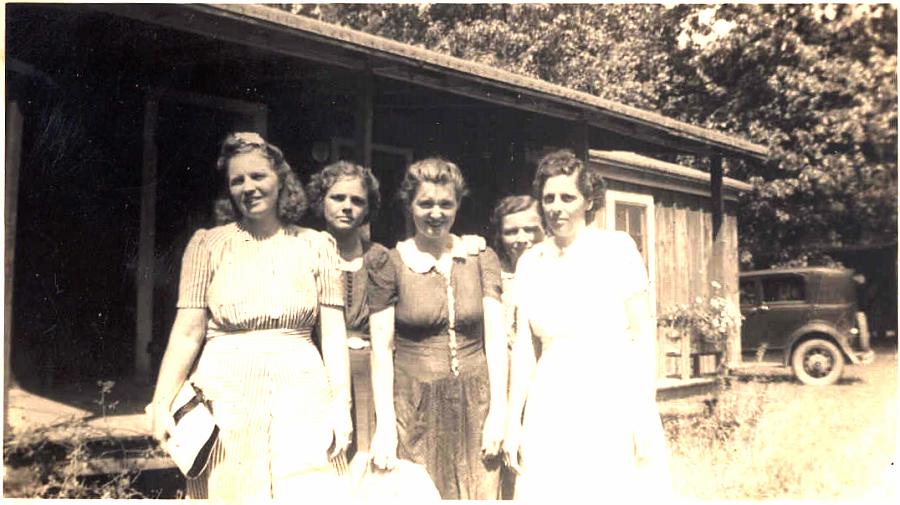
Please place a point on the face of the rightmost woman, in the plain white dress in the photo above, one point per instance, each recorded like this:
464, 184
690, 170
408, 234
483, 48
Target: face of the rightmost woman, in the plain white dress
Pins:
565, 208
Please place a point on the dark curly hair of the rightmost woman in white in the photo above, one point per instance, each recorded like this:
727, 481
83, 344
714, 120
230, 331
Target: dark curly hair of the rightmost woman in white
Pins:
588, 180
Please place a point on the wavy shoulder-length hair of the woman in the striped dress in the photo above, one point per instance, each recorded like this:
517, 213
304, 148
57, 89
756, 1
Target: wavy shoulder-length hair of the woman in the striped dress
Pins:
291, 198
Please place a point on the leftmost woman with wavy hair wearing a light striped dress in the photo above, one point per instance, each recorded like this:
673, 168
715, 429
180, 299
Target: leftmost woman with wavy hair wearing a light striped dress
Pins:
250, 293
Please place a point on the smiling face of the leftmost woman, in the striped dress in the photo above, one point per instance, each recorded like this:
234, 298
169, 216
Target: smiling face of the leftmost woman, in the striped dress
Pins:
253, 185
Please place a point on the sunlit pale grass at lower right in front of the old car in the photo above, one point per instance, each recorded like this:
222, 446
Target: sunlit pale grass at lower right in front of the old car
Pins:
769, 437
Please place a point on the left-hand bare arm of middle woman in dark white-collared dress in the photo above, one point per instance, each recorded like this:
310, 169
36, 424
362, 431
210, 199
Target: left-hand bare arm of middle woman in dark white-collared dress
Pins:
384, 441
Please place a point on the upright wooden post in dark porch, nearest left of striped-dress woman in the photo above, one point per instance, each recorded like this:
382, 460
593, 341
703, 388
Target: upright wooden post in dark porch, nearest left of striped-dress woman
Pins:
146, 244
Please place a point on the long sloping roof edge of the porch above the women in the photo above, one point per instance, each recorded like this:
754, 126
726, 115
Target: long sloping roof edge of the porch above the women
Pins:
280, 31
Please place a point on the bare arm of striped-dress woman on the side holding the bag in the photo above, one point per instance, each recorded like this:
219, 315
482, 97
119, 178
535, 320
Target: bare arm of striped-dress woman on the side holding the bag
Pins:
185, 341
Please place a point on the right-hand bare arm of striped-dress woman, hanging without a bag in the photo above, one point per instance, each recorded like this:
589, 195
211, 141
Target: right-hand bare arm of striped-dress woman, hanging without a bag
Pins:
333, 333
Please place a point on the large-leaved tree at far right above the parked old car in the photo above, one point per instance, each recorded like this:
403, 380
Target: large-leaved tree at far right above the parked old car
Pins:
817, 84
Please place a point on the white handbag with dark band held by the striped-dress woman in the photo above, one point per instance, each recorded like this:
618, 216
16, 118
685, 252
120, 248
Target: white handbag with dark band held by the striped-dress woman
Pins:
190, 442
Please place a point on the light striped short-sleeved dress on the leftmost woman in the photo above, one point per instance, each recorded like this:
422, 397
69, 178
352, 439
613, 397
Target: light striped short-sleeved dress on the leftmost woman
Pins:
265, 379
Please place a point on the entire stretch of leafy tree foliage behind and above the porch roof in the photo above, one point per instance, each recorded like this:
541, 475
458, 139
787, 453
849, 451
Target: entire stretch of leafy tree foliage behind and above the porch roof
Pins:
817, 84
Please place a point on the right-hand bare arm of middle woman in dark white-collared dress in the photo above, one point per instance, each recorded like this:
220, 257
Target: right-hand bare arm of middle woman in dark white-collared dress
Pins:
495, 344
